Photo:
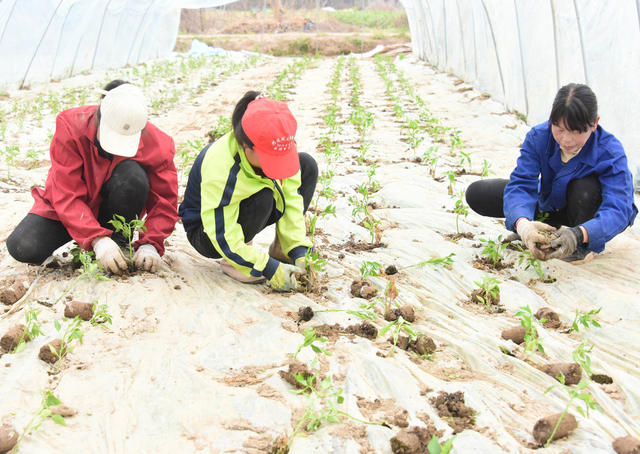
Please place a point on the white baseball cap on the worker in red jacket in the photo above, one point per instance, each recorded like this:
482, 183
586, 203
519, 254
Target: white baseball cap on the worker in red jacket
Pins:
123, 115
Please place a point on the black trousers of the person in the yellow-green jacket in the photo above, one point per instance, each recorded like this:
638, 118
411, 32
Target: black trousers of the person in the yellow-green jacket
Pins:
259, 210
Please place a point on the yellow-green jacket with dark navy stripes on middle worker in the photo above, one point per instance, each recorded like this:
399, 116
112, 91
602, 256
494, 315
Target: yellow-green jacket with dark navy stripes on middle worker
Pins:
221, 178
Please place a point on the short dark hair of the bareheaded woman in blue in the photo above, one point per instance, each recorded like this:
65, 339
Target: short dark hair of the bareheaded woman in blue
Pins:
575, 105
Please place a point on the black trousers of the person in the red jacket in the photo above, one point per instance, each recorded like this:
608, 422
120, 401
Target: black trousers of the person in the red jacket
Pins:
125, 193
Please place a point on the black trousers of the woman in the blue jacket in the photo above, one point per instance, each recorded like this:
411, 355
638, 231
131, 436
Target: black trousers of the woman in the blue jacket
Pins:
584, 196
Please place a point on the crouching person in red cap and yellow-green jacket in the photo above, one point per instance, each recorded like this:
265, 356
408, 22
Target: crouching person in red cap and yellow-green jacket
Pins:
248, 179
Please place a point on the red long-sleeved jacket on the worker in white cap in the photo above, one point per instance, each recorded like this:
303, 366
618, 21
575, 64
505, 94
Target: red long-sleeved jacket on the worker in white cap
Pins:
72, 190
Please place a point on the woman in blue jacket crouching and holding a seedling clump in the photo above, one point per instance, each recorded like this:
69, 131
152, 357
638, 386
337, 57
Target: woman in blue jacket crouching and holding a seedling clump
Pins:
572, 175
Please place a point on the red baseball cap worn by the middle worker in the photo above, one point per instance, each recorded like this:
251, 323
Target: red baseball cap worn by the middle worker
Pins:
271, 127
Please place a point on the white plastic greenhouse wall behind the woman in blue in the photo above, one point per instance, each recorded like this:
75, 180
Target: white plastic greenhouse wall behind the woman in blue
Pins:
522, 51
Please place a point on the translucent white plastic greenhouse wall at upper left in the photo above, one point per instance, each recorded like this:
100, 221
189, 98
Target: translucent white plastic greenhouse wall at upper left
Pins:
42, 40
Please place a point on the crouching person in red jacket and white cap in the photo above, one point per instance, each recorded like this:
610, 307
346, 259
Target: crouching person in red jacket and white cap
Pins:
105, 160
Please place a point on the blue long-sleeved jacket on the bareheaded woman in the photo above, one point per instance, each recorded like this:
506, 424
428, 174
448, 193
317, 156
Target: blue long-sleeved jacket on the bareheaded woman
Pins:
601, 155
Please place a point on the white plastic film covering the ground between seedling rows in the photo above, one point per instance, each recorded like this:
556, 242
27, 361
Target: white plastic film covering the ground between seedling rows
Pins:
191, 362
